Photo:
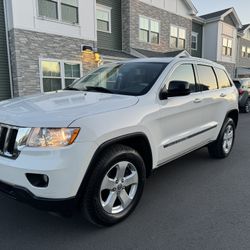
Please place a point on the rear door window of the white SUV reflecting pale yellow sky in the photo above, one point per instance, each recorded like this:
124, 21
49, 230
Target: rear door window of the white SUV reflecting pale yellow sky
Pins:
207, 78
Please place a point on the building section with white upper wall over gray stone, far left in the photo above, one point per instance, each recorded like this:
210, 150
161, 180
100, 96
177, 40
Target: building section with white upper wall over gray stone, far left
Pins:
45, 42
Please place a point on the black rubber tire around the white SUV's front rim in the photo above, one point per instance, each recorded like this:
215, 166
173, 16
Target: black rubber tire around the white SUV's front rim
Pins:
91, 206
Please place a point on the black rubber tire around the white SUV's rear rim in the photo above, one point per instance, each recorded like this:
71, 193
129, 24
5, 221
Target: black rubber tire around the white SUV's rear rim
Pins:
216, 149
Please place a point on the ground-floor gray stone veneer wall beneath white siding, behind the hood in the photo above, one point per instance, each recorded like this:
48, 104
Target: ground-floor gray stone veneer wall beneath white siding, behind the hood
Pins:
26, 49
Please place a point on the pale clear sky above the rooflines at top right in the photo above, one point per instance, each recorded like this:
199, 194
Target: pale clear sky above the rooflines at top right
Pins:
242, 7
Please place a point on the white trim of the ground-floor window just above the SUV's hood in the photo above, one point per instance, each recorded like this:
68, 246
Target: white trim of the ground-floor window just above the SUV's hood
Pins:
62, 76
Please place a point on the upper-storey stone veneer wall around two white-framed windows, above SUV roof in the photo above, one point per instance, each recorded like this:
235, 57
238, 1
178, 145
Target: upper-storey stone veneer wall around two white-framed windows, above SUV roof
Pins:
131, 18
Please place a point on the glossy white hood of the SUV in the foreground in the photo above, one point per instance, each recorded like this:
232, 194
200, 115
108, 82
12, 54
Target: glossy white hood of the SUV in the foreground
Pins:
60, 109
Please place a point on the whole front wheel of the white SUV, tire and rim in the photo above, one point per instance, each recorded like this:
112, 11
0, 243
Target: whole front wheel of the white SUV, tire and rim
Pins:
115, 186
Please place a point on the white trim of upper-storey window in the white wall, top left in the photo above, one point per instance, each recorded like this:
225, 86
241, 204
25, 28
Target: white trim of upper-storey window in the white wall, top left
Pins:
59, 13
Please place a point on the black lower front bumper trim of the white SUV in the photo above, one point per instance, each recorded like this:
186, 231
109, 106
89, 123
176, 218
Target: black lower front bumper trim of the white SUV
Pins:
62, 206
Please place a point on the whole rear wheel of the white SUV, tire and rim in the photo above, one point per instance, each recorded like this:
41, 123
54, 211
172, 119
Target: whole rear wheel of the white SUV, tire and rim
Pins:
222, 147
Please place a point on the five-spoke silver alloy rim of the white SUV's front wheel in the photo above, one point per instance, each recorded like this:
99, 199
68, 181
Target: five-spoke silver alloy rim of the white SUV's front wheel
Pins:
119, 187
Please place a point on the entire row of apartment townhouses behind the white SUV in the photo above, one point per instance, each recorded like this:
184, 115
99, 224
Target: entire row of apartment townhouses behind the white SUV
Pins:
50, 43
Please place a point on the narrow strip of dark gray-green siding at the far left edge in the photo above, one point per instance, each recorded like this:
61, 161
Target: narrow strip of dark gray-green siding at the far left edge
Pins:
4, 68
